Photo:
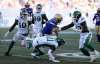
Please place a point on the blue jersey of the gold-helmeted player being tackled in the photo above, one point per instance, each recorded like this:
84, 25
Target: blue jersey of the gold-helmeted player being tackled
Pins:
49, 26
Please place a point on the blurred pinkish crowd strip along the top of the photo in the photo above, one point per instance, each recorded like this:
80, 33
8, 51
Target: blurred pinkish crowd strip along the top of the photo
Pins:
57, 4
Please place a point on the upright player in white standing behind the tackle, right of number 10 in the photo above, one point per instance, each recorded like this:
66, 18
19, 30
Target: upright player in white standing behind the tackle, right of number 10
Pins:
40, 18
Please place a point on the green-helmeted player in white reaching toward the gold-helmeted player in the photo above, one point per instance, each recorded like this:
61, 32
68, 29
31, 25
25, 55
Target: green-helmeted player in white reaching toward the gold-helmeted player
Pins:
85, 35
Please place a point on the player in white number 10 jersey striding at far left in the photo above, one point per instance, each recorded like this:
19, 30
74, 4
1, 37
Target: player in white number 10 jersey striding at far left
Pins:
23, 30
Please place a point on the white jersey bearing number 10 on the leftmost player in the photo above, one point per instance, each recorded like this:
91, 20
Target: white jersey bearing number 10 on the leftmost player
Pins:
22, 25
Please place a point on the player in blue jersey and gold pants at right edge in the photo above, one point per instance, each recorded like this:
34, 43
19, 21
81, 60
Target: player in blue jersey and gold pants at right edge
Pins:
97, 18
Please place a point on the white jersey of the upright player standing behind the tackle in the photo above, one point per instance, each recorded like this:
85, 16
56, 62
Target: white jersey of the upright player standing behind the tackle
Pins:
38, 20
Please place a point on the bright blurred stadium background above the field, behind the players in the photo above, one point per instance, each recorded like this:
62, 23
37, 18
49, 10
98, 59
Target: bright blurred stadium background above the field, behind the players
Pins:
10, 9
